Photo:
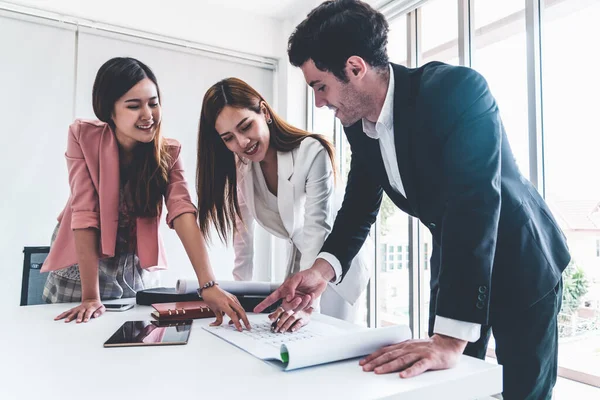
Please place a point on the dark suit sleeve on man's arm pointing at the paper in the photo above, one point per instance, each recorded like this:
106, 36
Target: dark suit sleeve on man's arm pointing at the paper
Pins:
354, 219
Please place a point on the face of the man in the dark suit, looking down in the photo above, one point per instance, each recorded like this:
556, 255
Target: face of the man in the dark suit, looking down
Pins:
349, 104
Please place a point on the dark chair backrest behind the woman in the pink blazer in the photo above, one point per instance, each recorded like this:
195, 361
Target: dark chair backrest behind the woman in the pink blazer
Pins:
33, 282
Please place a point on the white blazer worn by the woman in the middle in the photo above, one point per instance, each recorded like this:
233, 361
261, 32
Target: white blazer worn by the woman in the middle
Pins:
307, 206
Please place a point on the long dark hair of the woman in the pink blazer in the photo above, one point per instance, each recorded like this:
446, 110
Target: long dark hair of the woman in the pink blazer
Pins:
148, 173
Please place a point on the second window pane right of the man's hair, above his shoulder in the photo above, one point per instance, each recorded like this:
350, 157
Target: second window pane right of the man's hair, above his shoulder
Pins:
439, 31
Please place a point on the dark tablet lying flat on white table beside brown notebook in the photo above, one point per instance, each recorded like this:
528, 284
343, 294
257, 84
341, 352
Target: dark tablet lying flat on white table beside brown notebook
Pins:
150, 333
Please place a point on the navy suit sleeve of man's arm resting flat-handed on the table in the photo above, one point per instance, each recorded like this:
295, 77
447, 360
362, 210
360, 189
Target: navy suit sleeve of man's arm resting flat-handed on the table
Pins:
468, 115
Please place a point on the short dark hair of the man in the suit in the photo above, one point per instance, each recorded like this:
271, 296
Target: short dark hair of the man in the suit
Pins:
337, 30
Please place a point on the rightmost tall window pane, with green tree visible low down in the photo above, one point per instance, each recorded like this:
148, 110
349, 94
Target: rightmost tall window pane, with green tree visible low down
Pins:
571, 144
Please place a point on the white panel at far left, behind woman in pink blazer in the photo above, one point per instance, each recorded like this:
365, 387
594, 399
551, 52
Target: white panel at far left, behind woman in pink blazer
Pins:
34, 187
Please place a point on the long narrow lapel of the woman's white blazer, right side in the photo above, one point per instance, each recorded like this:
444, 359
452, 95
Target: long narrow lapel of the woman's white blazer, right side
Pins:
285, 190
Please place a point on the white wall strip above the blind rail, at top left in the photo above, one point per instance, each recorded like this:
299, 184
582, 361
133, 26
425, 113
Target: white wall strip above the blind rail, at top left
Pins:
200, 21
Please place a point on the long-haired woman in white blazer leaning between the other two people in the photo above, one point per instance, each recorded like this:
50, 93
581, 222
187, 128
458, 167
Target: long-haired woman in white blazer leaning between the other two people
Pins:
253, 166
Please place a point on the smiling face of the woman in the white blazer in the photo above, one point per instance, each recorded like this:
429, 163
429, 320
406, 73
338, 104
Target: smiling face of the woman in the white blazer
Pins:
244, 132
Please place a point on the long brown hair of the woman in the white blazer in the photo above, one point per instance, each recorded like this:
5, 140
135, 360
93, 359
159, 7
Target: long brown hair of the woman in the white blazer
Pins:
216, 180
